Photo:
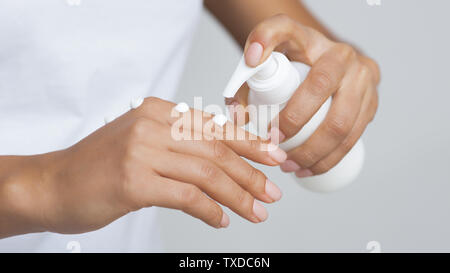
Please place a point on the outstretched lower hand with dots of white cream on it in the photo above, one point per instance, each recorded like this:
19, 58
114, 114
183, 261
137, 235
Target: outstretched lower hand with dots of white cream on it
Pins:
134, 162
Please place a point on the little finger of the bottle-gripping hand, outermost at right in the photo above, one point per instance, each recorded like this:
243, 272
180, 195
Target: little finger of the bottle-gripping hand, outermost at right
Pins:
368, 110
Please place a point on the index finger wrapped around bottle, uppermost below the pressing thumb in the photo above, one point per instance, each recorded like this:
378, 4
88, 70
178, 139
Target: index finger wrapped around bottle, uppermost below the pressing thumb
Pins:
323, 80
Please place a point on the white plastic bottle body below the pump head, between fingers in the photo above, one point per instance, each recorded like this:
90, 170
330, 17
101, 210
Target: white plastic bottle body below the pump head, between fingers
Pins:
340, 175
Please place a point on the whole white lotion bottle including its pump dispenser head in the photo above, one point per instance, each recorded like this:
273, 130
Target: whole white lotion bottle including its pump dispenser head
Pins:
271, 84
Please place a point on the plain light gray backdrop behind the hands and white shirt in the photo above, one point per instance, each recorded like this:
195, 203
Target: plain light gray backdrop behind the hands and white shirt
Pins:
401, 199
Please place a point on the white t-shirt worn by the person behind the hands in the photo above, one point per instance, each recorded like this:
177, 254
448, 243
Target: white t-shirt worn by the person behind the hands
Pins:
58, 60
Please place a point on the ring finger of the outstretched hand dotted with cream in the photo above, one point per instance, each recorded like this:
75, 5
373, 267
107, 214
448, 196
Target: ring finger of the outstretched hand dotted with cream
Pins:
208, 177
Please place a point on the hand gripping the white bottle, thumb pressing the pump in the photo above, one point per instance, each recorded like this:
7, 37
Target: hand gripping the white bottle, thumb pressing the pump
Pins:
337, 70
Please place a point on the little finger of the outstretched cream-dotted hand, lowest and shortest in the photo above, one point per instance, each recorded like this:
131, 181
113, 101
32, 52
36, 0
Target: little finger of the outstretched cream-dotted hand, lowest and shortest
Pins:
170, 193
